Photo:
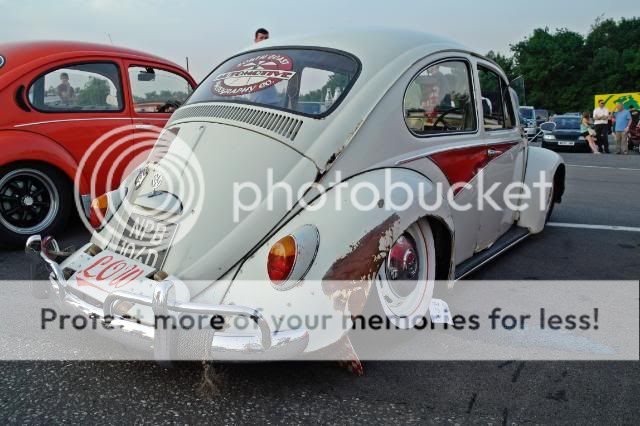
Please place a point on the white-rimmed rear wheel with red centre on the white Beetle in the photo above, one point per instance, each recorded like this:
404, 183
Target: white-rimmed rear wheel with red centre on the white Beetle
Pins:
405, 281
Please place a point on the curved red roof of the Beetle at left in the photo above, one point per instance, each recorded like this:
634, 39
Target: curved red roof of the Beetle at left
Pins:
20, 57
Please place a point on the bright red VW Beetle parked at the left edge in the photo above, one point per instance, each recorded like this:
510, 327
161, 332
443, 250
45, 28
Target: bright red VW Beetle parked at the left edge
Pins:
57, 99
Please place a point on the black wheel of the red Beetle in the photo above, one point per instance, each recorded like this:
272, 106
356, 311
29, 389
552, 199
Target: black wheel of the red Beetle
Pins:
34, 199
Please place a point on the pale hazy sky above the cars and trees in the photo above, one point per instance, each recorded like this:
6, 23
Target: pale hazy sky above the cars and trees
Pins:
209, 31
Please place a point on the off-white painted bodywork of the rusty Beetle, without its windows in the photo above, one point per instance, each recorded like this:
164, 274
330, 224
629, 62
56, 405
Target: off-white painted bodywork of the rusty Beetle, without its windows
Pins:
219, 261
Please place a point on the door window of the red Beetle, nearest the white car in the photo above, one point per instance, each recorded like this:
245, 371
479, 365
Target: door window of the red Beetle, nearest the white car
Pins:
156, 90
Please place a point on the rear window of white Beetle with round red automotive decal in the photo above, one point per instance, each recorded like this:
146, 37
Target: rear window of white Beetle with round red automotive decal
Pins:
304, 81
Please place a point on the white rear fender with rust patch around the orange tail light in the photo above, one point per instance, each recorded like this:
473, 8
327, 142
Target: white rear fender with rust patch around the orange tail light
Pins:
352, 246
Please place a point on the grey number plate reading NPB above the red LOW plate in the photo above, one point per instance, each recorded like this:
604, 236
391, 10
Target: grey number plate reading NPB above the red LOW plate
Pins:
144, 239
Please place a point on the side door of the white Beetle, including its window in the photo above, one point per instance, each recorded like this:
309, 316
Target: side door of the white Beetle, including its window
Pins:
505, 154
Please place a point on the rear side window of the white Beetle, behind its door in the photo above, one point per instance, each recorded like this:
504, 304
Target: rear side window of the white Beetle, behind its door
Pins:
439, 100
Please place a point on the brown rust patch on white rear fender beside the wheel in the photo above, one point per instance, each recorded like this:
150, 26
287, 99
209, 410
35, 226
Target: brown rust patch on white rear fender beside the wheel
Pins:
349, 278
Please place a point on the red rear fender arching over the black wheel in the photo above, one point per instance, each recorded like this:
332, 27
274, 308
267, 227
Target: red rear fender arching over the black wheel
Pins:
19, 145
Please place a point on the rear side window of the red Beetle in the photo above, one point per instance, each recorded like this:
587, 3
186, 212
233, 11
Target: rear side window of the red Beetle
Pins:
78, 88
